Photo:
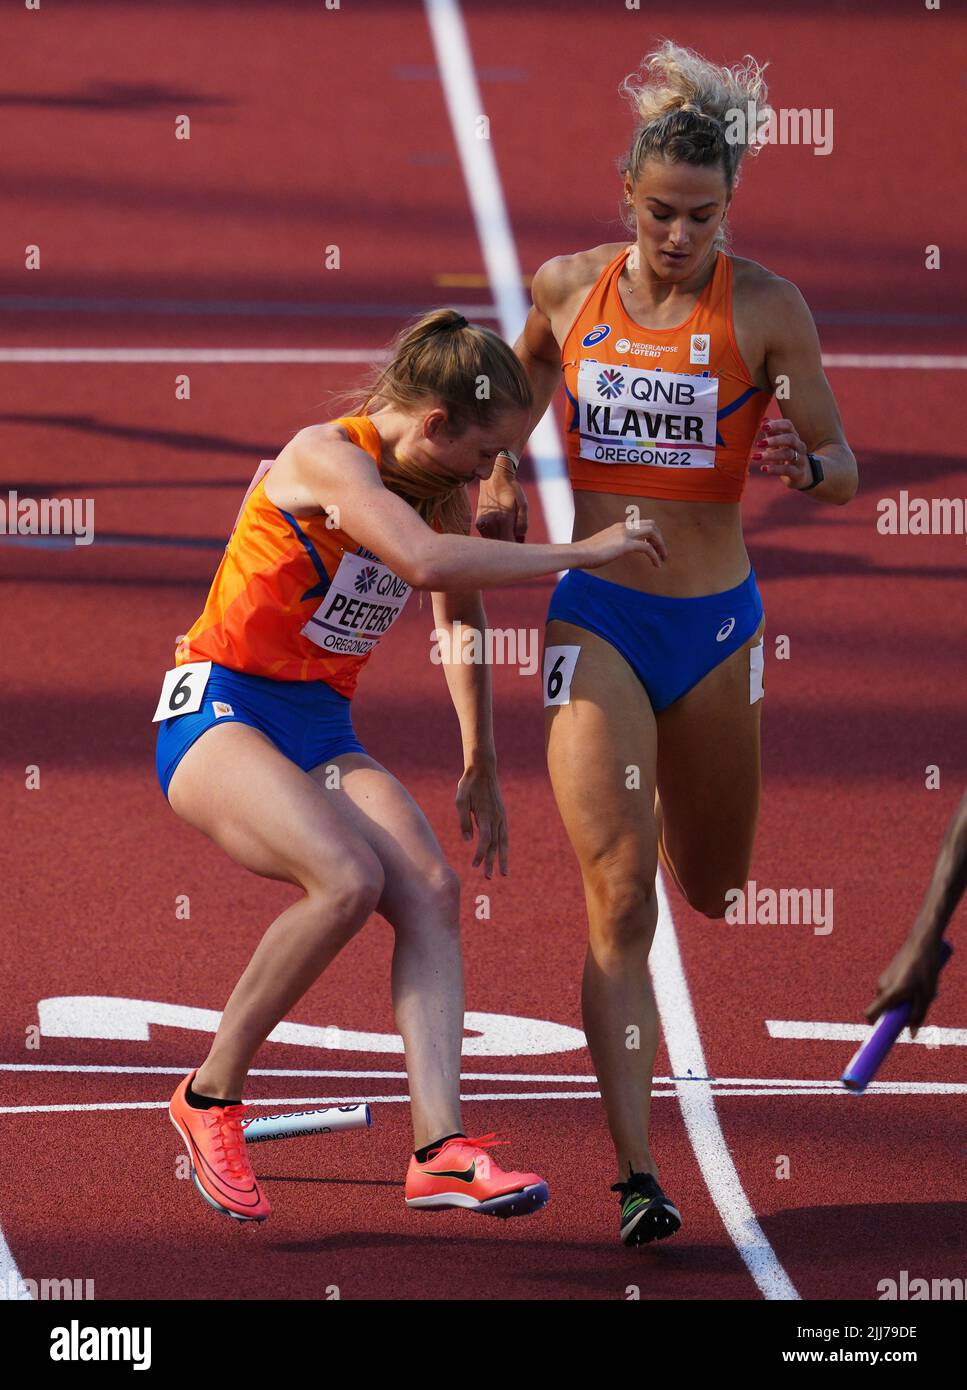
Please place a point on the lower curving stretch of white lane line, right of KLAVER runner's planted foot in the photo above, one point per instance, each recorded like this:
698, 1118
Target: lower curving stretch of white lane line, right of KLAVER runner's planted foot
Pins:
697, 1100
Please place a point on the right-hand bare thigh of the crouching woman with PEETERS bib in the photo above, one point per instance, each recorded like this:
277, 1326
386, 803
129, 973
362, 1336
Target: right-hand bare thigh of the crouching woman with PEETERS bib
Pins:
380, 810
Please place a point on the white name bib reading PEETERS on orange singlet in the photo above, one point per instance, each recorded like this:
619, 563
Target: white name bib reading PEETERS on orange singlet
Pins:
362, 604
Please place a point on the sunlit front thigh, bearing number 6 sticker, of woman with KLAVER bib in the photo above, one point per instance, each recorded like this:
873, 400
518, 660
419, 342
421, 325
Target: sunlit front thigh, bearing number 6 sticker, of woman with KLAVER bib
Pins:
601, 754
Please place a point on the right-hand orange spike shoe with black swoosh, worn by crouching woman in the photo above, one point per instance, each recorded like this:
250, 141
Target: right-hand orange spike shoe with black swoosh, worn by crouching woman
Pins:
461, 1175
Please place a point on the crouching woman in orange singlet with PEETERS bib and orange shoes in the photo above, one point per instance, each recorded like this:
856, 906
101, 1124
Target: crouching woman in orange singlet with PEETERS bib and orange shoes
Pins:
259, 750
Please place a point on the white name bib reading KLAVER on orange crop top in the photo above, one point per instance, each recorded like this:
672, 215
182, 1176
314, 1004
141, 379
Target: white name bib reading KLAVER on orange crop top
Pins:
663, 419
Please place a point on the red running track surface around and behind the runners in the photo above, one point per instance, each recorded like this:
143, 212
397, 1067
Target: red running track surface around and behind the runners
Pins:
313, 129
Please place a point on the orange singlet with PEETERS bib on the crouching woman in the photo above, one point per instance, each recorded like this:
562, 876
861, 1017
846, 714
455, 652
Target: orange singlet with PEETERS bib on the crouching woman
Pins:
294, 598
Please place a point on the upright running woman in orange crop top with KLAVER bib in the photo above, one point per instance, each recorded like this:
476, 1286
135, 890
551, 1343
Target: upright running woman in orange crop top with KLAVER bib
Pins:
670, 351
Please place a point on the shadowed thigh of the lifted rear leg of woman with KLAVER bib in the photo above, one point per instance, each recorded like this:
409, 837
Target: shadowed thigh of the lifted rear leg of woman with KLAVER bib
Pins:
709, 771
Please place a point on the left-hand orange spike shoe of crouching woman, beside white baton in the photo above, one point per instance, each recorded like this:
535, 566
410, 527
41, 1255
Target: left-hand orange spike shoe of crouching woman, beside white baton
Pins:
220, 1166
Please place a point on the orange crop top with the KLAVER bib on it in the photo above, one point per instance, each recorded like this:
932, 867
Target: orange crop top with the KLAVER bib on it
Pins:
659, 412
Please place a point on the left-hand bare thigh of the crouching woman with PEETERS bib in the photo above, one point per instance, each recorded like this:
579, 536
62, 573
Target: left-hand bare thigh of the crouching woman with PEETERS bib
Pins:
262, 810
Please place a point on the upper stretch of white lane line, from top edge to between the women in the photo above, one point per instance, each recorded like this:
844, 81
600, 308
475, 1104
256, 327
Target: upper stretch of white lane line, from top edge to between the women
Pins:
487, 201
